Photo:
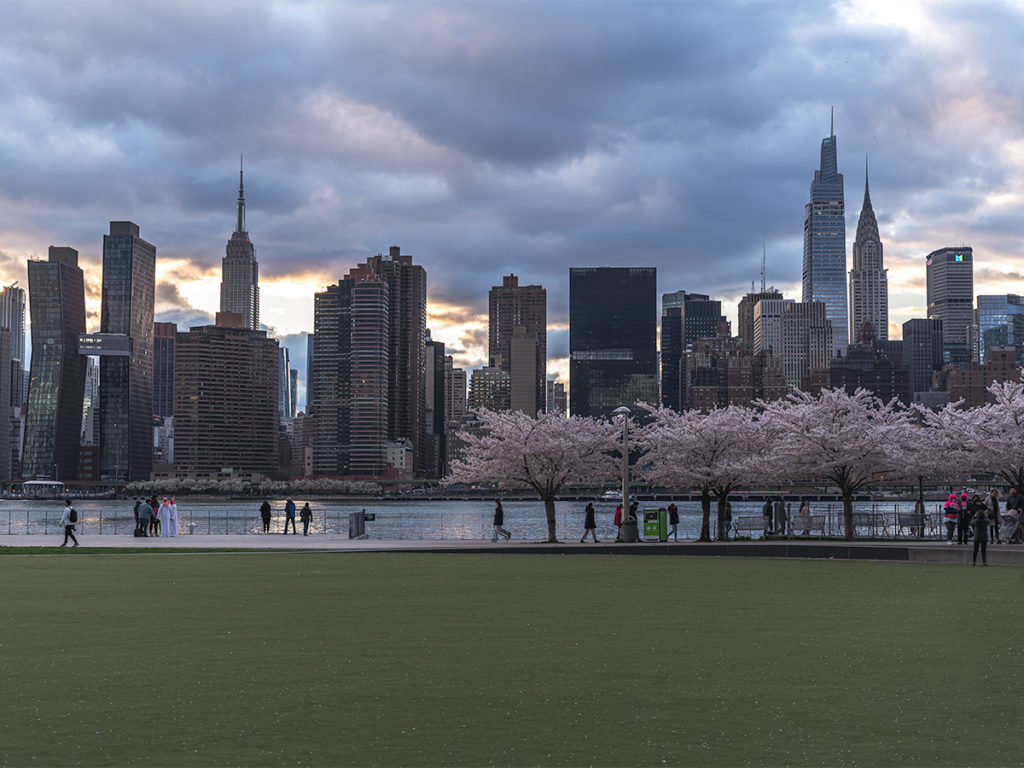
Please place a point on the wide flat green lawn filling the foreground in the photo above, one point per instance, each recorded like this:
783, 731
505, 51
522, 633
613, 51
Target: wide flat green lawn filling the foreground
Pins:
275, 659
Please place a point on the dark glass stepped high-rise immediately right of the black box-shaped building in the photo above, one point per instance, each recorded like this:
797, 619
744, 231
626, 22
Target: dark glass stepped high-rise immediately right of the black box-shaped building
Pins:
686, 319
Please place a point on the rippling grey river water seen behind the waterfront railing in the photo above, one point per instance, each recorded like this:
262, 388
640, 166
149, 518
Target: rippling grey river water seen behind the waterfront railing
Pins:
419, 520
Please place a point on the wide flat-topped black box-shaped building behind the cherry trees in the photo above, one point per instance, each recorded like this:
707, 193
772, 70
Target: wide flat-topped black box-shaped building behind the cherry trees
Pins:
613, 338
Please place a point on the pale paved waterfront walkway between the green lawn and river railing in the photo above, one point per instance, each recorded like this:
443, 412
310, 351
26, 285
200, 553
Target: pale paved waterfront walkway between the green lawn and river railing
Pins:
901, 551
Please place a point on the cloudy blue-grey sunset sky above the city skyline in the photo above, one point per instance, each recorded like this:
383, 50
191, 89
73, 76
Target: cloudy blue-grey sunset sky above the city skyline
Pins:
495, 138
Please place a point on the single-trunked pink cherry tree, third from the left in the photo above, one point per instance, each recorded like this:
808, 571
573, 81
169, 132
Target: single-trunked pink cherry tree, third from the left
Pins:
847, 440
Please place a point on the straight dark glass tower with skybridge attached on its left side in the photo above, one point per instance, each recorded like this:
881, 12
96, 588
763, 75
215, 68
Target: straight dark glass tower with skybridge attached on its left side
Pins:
125, 347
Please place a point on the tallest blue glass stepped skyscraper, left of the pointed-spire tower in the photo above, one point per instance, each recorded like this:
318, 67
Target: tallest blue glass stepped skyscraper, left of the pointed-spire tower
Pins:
825, 244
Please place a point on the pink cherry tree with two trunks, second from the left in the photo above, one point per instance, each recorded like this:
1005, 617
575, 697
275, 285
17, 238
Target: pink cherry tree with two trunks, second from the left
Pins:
710, 452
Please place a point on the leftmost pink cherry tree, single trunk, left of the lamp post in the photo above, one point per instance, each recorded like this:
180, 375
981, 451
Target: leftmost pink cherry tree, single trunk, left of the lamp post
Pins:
544, 453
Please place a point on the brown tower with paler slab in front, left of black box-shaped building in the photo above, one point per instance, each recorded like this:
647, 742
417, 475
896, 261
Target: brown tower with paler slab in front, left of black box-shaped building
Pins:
513, 307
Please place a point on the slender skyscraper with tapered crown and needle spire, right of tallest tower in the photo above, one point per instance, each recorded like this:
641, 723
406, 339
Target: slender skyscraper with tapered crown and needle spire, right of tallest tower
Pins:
869, 284
